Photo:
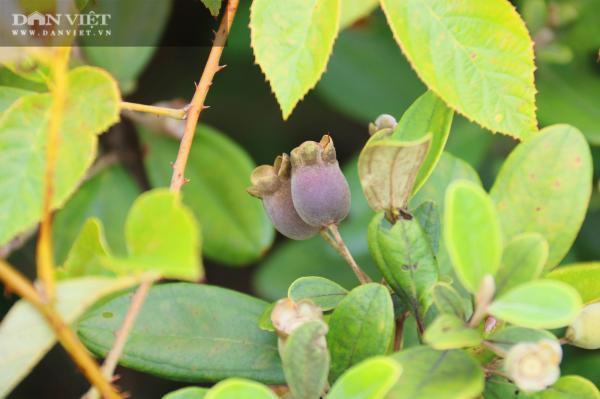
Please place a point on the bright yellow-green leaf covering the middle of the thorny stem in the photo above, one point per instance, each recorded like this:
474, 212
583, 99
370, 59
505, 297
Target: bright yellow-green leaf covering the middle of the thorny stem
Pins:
162, 236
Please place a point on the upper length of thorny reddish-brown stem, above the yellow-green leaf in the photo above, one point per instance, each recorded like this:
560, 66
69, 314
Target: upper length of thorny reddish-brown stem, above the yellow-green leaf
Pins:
197, 103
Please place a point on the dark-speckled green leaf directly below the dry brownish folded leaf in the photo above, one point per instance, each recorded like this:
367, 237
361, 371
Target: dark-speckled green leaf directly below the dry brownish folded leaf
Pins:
404, 256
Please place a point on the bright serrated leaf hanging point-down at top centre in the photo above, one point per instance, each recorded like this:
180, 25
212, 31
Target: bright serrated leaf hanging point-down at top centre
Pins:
292, 42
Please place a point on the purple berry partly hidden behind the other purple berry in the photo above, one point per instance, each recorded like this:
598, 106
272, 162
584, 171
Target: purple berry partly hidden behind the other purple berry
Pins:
273, 185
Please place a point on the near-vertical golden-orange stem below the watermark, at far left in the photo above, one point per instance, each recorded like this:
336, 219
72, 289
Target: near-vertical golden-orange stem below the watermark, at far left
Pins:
58, 89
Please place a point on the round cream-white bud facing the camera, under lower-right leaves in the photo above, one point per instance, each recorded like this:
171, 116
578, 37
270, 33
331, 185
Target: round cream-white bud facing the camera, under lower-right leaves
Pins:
533, 366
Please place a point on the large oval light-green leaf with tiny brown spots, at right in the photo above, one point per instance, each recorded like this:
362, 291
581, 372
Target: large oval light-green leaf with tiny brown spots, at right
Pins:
537, 181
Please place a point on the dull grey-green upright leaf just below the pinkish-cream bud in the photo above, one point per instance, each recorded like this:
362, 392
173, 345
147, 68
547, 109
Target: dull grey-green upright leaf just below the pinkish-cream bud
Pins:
305, 360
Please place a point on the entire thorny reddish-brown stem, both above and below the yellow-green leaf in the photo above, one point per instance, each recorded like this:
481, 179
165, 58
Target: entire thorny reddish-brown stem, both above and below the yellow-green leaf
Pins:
195, 108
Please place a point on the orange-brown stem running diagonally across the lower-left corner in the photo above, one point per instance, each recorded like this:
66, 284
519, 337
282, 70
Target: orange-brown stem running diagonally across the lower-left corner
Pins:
22, 287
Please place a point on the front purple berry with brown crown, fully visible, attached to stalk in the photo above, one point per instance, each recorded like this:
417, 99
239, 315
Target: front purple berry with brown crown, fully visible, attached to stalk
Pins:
320, 191
